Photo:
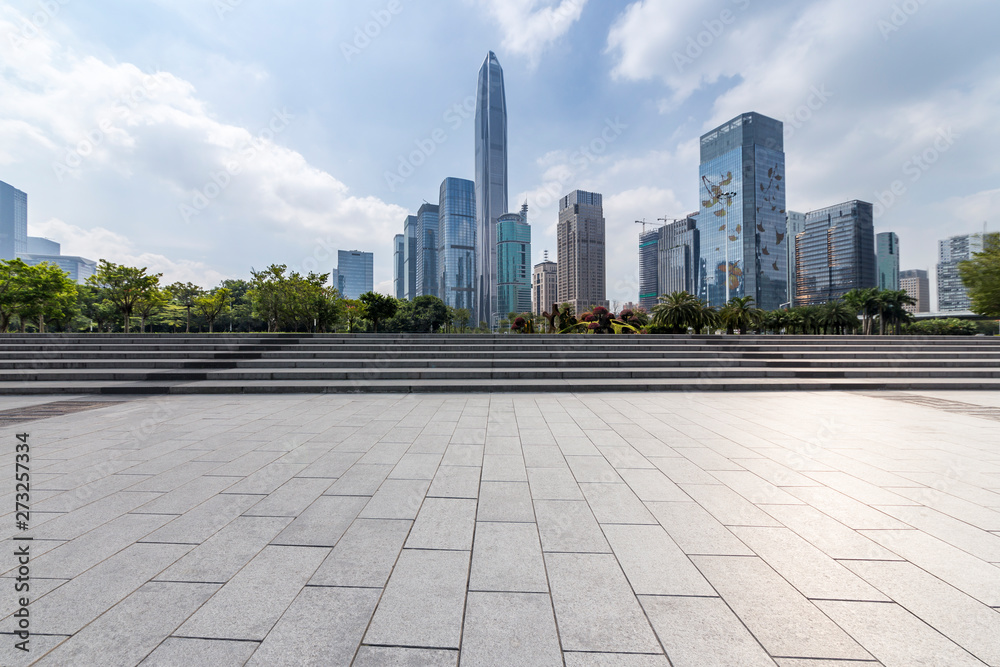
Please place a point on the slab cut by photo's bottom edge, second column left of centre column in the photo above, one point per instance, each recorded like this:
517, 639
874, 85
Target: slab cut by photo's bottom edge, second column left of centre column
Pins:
322, 628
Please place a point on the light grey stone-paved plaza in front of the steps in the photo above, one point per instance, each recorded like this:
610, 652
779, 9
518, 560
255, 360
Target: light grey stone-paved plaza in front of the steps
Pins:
809, 529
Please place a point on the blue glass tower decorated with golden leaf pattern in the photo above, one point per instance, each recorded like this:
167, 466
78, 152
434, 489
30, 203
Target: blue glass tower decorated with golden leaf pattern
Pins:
742, 217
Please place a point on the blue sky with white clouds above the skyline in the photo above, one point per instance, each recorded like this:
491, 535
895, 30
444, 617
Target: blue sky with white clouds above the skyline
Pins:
206, 138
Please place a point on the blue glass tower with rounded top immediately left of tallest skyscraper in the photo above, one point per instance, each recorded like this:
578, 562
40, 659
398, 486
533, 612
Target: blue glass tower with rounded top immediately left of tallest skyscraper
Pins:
457, 243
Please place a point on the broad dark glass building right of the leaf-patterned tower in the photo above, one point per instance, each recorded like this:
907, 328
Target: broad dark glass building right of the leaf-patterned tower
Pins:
835, 254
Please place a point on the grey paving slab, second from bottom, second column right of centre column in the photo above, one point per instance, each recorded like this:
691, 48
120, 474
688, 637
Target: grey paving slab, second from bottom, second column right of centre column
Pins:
653, 563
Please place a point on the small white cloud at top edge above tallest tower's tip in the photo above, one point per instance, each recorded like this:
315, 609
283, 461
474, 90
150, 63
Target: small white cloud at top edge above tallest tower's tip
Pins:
528, 29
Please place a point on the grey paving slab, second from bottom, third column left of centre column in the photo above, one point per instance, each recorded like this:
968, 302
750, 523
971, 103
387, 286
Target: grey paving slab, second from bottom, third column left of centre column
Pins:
248, 606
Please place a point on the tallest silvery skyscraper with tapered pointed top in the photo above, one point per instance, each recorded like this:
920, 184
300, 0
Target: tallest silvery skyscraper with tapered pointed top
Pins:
491, 185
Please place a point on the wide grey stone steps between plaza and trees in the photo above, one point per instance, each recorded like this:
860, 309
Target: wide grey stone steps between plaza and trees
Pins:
275, 363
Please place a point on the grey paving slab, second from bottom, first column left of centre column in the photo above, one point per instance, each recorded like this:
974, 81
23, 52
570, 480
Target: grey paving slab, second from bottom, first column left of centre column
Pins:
423, 602
